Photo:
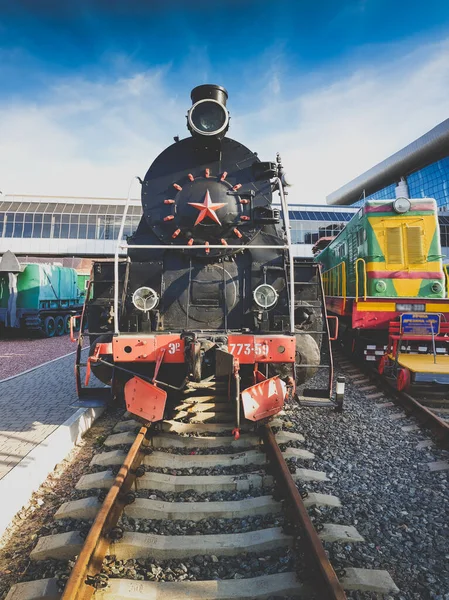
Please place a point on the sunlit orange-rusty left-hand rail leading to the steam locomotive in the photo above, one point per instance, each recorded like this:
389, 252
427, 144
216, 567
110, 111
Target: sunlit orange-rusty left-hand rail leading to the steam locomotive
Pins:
81, 584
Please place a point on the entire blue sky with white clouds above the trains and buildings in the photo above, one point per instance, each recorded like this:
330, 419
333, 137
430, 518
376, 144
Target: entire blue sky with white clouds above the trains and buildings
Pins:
92, 91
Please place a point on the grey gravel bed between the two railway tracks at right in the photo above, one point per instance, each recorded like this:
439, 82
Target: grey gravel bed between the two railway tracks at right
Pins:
386, 489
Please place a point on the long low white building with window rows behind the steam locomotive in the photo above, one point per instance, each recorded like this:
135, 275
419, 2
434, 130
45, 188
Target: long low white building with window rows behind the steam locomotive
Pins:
33, 226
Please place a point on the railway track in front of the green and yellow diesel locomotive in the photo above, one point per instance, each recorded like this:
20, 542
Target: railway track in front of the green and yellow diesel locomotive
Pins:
431, 408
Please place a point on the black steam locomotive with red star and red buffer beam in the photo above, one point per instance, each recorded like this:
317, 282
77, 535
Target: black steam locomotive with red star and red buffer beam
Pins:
207, 288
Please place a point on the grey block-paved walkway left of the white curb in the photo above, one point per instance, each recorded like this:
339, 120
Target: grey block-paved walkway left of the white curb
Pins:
32, 406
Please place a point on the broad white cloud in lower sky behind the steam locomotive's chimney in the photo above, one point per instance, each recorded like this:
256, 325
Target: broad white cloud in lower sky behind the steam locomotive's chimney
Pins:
90, 137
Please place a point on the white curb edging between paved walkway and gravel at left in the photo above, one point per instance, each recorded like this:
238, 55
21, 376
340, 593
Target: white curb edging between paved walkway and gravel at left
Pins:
17, 486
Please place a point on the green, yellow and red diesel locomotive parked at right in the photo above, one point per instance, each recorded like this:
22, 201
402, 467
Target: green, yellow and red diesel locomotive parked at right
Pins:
386, 262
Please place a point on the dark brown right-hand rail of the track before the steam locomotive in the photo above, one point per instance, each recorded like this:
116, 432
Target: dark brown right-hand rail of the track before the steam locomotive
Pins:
332, 588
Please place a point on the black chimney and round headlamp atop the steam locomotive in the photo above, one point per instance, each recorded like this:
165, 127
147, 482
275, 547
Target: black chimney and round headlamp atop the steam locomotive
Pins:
208, 115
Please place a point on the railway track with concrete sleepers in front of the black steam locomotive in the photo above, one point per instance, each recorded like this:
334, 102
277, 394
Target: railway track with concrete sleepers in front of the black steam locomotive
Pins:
160, 499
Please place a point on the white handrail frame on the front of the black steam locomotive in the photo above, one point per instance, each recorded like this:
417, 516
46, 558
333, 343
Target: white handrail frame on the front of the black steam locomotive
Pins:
121, 245
